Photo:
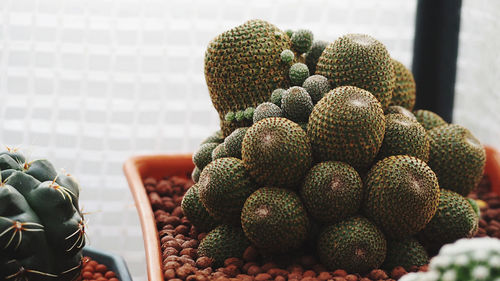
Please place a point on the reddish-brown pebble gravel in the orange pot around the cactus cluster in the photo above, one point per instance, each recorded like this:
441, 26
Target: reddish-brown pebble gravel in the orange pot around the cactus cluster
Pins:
179, 242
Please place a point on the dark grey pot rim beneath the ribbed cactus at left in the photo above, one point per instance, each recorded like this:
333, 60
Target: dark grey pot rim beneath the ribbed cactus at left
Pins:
113, 262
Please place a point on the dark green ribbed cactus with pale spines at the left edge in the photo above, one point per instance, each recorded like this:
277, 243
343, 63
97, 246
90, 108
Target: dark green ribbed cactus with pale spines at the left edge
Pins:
42, 231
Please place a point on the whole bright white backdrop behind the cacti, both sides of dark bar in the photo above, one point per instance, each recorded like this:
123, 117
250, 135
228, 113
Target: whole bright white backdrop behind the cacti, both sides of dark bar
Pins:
88, 84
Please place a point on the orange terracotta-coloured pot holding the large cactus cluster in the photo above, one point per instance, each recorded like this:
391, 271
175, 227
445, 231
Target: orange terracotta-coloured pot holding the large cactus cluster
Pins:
158, 166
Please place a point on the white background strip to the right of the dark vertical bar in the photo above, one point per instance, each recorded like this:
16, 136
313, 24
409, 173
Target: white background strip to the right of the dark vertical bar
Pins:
477, 95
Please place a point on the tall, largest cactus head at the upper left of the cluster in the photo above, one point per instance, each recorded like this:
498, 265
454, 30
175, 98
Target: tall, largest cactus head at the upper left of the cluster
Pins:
242, 67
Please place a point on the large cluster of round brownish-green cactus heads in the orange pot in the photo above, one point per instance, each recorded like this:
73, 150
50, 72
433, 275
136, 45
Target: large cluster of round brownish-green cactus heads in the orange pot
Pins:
327, 150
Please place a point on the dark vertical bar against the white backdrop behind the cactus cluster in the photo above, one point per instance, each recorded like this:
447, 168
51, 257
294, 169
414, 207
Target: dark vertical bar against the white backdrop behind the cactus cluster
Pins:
435, 55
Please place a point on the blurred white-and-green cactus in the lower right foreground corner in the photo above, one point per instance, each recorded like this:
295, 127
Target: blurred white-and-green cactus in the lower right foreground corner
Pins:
475, 259
